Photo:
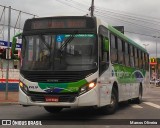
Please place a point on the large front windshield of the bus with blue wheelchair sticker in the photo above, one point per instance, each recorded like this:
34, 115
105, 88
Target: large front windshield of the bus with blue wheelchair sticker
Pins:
66, 52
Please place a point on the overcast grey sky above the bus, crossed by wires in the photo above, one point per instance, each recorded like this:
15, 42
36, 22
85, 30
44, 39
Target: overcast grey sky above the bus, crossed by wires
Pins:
140, 18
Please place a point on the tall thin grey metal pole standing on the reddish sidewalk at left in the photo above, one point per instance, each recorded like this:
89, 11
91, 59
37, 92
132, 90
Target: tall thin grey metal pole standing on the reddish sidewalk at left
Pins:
7, 71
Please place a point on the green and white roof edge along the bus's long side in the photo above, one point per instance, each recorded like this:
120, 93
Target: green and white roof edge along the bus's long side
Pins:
118, 33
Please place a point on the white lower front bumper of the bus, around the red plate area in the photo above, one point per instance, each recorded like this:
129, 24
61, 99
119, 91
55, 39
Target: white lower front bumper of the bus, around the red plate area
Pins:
89, 98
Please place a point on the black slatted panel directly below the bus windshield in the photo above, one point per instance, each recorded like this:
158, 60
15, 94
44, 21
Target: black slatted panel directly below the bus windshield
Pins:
54, 77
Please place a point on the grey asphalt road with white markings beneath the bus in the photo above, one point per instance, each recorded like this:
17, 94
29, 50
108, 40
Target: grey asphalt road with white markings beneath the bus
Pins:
88, 117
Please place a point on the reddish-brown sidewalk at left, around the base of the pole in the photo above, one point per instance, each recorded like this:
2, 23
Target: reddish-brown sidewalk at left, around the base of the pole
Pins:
12, 98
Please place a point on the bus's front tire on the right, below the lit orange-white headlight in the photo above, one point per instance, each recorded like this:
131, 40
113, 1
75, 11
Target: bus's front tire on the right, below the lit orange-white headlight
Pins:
110, 109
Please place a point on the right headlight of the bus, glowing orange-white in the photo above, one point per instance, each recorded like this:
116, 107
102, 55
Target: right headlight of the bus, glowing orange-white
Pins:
87, 87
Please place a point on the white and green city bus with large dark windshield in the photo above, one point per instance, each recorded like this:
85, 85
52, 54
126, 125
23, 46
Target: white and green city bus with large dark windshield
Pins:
75, 61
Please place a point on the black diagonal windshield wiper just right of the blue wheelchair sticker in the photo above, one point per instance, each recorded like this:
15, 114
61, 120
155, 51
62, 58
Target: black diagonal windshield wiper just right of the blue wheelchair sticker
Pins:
67, 41
